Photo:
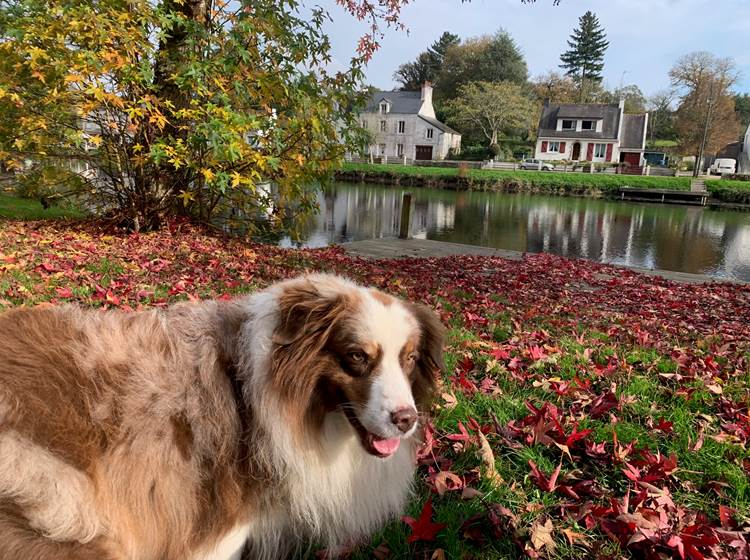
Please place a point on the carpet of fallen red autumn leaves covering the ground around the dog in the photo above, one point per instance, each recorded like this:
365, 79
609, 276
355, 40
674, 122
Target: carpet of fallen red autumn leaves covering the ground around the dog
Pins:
603, 498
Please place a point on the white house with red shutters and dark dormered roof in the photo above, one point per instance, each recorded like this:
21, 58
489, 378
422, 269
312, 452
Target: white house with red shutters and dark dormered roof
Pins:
591, 132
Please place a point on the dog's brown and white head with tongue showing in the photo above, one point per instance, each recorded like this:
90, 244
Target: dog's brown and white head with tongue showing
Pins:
342, 348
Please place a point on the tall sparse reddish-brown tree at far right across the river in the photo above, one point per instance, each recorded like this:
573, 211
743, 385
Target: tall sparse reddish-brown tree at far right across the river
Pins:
706, 120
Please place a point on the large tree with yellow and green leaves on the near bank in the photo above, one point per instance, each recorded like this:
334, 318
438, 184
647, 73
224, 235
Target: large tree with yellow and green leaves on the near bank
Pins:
179, 106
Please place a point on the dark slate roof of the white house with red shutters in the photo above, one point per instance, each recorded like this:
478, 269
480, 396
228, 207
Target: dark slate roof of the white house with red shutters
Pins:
609, 114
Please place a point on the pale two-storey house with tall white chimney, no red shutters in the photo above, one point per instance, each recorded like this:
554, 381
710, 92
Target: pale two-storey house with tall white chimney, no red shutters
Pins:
403, 124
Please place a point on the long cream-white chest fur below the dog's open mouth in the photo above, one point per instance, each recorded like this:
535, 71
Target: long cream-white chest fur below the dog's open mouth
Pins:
335, 497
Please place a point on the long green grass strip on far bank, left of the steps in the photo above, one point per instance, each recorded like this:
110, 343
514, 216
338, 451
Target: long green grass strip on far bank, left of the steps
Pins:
490, 179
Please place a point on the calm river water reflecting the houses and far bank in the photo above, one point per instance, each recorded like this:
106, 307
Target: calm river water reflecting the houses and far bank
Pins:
682, 238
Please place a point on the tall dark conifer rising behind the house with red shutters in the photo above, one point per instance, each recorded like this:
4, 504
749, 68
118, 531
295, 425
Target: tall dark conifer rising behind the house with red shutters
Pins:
584, 60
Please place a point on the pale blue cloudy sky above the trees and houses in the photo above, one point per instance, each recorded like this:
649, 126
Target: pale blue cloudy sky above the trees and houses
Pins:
646, 36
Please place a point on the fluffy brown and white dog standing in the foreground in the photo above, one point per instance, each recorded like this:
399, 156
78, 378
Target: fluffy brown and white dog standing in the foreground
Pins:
267, 424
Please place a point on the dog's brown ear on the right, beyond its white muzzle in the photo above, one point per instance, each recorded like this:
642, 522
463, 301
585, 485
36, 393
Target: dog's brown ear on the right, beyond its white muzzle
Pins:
430, 363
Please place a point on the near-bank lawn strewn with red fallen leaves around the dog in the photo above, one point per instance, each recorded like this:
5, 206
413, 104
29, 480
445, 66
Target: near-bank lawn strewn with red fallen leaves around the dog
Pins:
673, 355
